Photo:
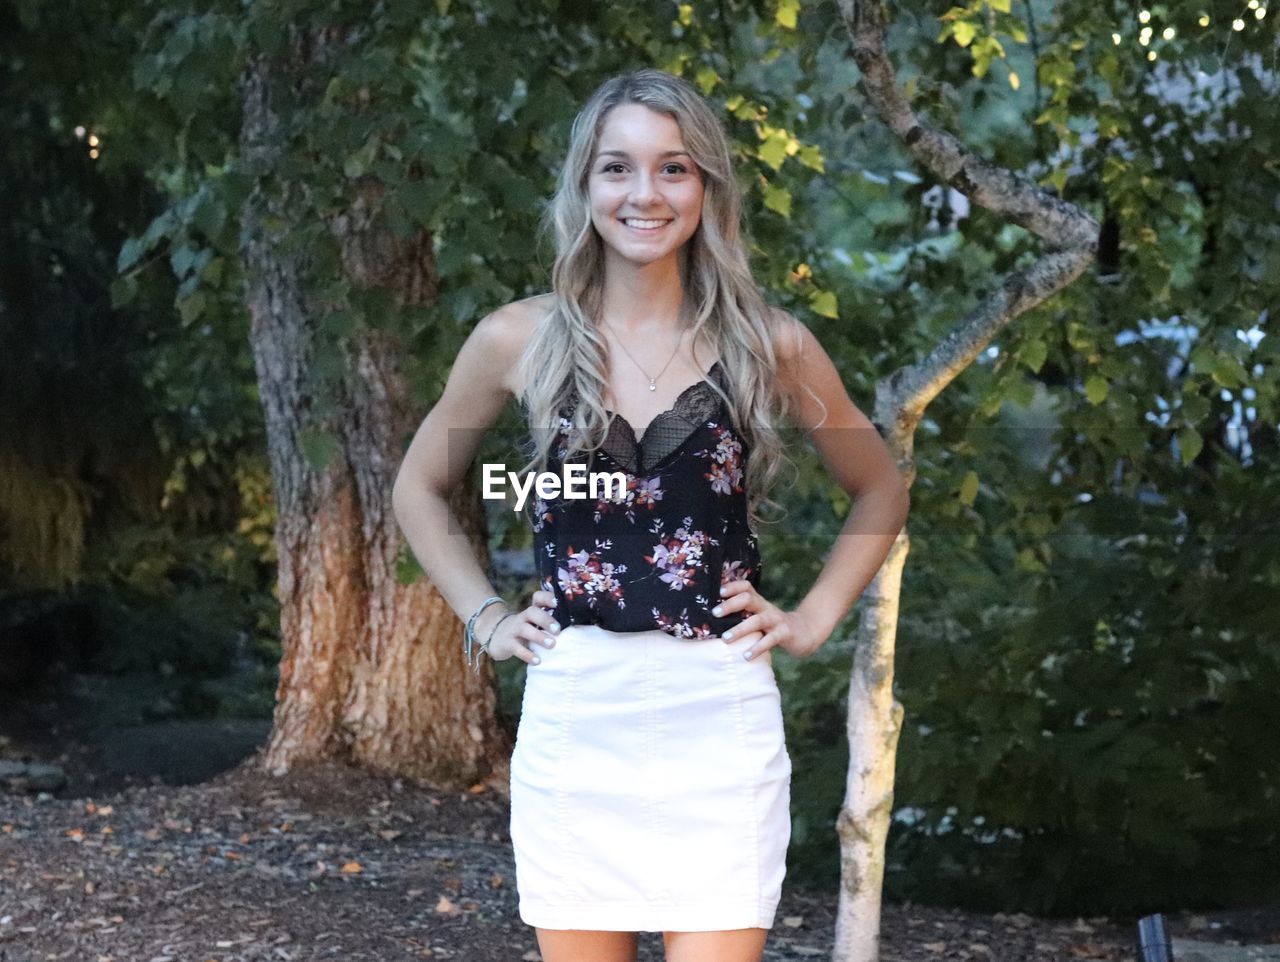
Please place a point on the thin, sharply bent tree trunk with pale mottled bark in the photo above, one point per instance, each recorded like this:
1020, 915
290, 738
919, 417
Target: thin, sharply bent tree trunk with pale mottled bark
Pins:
875, 717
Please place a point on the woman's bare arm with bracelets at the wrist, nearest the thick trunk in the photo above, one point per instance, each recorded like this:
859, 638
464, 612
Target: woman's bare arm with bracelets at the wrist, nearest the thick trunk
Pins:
442, 451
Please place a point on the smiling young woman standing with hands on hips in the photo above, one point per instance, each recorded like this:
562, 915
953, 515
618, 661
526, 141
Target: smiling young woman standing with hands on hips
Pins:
651, 782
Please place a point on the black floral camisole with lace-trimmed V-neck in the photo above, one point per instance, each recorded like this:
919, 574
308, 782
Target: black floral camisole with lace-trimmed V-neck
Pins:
657, 556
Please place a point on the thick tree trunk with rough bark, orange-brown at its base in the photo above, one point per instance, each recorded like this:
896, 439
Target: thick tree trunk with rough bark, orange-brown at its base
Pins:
372, 671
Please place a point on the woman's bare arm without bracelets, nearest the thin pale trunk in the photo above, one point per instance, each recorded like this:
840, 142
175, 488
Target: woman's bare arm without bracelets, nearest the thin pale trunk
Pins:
861, 464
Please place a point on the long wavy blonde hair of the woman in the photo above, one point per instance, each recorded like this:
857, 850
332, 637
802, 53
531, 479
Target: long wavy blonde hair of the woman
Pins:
568, 351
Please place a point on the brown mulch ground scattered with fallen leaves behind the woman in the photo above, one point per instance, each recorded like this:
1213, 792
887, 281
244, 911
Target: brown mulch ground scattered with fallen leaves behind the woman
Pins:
331, 863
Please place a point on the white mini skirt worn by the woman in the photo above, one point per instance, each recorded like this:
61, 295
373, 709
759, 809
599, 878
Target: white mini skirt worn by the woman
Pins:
651, 785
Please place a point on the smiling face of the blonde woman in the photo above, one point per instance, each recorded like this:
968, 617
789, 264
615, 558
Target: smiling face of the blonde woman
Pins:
646, 191
